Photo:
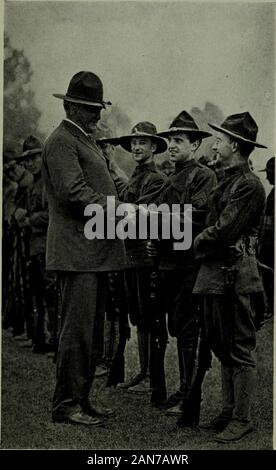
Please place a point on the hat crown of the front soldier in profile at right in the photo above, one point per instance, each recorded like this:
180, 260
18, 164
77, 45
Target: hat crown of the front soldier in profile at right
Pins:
241, 124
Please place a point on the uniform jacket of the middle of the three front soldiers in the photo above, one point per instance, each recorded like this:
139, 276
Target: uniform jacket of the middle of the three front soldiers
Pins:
190, 184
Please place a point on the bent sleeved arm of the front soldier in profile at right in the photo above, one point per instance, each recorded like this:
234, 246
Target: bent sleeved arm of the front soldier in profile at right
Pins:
245, 204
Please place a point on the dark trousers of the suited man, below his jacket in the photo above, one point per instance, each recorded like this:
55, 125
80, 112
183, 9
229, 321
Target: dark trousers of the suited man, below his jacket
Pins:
80, 342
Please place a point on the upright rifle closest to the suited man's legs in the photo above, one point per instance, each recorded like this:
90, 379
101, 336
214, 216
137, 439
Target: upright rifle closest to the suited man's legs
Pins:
118, 313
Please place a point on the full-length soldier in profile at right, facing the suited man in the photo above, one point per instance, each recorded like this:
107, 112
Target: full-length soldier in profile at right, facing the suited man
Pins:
228, 277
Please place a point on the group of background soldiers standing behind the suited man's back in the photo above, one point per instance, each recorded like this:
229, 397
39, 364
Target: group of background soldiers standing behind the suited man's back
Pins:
30, 293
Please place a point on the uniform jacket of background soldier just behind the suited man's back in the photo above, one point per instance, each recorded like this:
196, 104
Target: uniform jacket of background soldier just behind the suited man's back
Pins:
38, 215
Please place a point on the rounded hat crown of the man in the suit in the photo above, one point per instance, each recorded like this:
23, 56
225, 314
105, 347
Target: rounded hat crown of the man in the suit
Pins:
86, 86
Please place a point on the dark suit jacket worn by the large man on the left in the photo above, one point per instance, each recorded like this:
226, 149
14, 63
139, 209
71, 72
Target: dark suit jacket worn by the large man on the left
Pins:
76, 175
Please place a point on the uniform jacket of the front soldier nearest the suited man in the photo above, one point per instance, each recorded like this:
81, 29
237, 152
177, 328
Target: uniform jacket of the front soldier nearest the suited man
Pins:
145, 181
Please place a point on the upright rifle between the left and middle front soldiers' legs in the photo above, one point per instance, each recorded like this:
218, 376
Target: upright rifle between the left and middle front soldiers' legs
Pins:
158, 339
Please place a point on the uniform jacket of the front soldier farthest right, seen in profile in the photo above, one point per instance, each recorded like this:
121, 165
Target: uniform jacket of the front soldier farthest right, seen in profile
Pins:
236, 208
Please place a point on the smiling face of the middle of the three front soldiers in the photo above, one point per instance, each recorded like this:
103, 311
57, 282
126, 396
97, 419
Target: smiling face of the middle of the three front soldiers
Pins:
180, 148
